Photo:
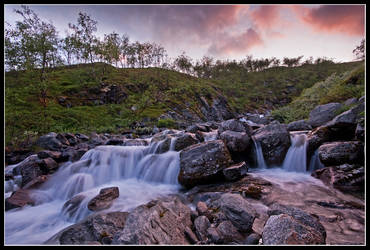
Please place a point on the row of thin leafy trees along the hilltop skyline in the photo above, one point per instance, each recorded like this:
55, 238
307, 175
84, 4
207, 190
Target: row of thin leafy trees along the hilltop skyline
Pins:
35, 44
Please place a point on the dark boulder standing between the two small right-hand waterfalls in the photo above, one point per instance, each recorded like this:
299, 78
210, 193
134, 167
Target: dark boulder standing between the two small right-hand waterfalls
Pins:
274, 139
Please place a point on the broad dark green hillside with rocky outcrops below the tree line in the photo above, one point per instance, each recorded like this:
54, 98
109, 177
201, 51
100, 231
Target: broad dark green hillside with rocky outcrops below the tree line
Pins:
103, 98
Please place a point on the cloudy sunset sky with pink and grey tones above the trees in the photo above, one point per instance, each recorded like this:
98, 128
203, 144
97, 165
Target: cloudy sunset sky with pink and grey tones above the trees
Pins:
222, 31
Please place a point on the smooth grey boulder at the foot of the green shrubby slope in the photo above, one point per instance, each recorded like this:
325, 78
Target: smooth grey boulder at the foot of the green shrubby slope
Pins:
323, 113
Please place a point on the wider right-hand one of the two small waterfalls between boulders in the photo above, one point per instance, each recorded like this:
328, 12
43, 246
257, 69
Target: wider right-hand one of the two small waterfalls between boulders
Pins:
295, 159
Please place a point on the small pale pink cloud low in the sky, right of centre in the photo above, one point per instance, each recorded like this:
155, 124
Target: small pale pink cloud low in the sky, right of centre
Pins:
230, 44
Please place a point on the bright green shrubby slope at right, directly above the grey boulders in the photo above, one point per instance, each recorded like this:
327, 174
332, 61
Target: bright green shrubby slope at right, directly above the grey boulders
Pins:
336, 88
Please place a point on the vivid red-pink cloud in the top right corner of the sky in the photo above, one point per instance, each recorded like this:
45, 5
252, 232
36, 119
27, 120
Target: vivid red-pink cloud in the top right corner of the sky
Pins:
346, 19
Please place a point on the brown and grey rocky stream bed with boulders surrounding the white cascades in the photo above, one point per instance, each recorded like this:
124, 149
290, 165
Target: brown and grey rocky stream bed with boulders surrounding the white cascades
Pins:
222, 201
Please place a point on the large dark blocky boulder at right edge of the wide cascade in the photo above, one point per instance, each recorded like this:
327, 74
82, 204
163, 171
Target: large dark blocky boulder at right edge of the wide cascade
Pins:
203, 163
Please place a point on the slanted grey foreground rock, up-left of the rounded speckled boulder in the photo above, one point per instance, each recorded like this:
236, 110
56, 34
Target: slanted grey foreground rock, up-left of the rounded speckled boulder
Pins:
237, 210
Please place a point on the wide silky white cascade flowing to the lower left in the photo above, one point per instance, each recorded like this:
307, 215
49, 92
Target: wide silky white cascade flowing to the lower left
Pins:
140, 174
